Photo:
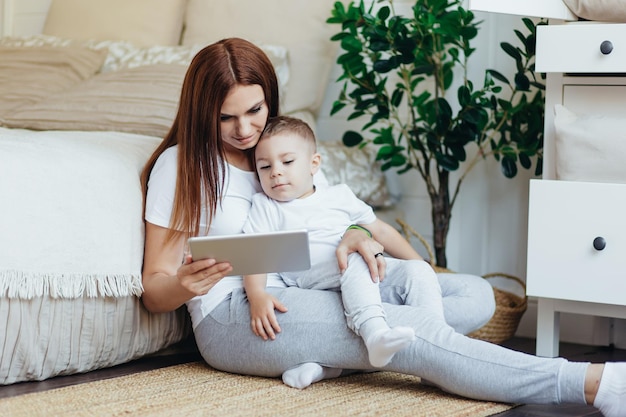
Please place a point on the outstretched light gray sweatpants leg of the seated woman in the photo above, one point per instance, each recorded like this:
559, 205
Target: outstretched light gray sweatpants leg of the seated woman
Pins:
314, 330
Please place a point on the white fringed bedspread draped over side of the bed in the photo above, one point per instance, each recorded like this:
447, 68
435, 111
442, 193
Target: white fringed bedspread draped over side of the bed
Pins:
71, 213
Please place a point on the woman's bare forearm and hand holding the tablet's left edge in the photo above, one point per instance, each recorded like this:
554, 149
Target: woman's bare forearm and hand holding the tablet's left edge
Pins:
168, 279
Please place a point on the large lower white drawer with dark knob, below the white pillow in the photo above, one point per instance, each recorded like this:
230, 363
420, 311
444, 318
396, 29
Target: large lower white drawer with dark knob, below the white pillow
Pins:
564, 220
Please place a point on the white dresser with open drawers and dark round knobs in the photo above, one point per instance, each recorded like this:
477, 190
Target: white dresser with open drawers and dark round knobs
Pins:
576, 229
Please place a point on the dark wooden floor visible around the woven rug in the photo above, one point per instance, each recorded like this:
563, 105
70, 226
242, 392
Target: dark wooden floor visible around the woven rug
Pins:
186, 352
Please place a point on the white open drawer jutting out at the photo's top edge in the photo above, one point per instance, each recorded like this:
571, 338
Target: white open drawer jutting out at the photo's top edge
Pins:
553, 9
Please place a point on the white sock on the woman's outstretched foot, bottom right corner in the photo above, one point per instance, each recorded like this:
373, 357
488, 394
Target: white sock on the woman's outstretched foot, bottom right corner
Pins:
611, 396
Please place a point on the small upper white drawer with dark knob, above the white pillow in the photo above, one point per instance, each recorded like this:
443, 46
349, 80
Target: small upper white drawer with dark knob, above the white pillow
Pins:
581, 47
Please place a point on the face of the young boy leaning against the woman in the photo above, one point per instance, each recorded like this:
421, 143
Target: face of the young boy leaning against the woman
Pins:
286, 164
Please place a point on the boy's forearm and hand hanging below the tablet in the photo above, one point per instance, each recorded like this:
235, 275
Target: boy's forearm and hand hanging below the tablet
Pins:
262, 305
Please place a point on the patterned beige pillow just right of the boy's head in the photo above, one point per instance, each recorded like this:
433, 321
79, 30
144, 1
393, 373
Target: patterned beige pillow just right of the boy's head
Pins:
358, 168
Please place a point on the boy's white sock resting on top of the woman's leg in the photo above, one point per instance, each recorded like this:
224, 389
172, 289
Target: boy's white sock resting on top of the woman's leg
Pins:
384, 343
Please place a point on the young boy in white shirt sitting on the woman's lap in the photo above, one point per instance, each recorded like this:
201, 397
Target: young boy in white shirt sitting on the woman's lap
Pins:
286, 161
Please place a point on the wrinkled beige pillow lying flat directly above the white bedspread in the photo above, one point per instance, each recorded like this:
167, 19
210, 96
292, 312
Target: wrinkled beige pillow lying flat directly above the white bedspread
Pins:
141, 100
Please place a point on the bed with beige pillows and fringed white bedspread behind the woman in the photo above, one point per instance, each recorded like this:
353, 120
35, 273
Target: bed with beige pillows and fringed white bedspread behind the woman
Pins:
87, 90
